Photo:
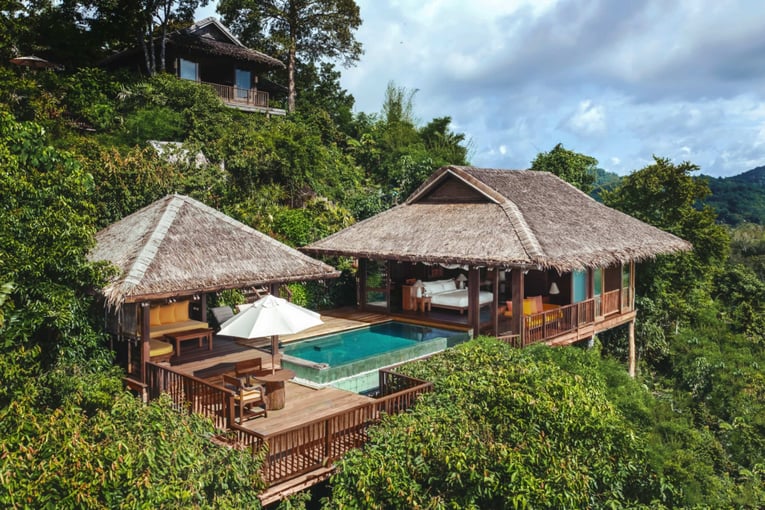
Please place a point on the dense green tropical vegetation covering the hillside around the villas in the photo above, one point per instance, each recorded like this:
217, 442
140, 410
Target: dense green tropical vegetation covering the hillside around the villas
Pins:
532, 428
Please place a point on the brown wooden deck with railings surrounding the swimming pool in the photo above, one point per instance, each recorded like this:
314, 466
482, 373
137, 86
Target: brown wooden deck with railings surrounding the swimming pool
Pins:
316, 426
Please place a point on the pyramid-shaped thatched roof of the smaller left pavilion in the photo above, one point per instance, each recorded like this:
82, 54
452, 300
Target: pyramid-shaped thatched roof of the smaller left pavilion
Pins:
178, 246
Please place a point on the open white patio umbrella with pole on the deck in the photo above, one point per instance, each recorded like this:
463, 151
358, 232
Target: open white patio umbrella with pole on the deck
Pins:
270, 316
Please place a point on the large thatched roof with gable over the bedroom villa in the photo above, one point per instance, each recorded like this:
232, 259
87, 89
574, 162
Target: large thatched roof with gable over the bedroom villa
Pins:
501, 218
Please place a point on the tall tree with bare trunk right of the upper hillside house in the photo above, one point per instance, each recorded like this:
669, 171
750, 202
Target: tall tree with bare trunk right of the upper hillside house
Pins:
306, 29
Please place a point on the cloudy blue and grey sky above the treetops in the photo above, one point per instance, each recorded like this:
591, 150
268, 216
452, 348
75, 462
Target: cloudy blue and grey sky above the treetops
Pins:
617, 80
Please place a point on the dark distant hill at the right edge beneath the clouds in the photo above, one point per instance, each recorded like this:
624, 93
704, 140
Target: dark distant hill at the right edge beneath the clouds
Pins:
740, 198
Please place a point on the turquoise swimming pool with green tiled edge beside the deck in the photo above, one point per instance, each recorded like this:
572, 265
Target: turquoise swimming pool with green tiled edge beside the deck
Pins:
350, 359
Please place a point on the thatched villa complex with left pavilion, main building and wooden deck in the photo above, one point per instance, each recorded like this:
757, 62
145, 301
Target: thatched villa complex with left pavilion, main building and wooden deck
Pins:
518, 254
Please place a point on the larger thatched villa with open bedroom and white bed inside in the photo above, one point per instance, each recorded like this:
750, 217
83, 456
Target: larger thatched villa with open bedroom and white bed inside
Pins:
488, 222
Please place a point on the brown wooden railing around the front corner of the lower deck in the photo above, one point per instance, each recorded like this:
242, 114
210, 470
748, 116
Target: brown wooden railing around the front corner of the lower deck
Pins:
300, 449
